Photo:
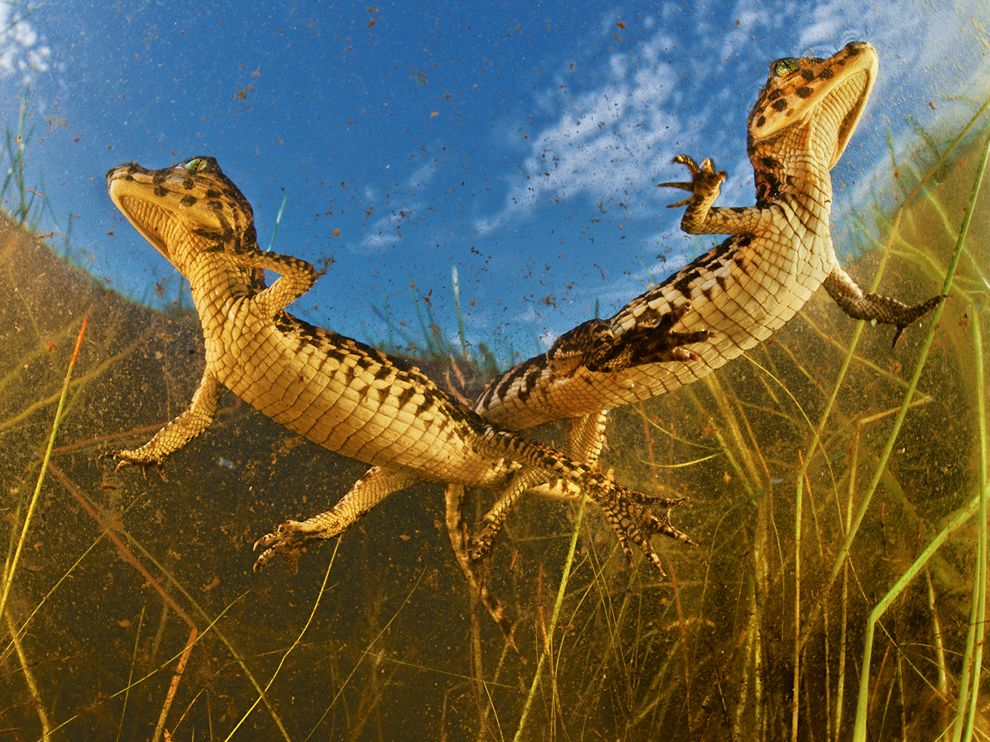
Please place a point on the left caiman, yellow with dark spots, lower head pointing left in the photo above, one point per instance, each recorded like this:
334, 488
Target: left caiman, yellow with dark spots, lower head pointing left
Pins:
333, 390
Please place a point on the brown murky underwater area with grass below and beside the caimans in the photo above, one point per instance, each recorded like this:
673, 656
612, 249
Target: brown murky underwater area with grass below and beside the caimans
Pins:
838, 489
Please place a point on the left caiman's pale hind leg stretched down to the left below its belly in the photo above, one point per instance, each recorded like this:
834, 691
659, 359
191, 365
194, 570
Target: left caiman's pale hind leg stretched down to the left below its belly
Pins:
291, 537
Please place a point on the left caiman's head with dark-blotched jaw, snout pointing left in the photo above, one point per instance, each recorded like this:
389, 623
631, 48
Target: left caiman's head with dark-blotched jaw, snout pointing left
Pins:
184, 210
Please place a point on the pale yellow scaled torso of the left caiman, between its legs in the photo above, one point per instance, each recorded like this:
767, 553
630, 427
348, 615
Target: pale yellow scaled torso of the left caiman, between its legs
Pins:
346, 403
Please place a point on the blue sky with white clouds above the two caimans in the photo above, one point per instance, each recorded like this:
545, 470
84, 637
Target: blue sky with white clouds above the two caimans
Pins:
520, 142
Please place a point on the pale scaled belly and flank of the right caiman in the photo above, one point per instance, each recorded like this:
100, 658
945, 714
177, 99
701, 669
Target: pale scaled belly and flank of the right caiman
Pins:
741, 291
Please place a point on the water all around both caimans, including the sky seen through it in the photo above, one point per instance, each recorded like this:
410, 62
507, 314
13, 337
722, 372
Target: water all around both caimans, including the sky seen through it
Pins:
834, 483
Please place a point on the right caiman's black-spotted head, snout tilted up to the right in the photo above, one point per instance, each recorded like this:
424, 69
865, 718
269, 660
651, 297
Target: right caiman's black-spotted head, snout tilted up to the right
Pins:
806, 113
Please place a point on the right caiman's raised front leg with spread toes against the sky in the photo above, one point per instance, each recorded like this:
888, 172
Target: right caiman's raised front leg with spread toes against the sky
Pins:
701, 217
